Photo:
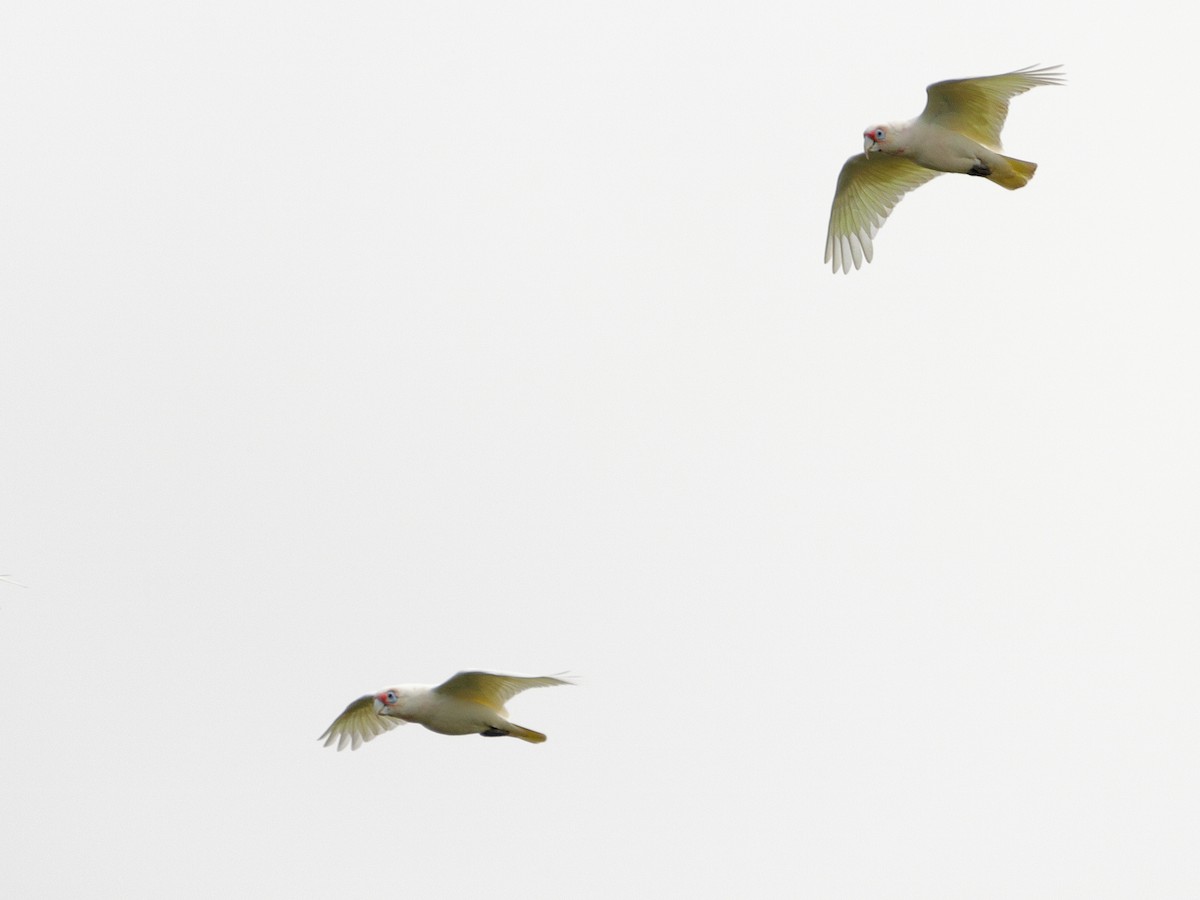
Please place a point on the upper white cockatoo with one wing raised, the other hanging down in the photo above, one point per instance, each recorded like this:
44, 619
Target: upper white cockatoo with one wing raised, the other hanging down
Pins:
958, 131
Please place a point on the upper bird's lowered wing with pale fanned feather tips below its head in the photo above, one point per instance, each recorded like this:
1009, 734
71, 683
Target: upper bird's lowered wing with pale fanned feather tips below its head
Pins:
868, 189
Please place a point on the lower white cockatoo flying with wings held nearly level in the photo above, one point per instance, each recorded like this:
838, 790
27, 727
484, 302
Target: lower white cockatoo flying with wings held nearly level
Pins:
469, 704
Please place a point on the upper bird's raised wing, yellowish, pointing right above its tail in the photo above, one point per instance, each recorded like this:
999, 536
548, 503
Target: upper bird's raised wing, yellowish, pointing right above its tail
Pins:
977, 107
